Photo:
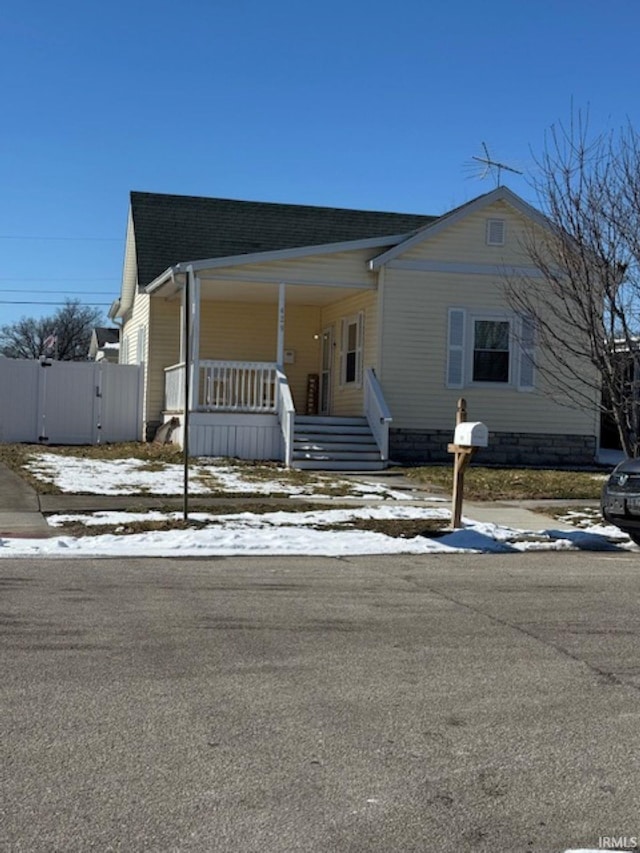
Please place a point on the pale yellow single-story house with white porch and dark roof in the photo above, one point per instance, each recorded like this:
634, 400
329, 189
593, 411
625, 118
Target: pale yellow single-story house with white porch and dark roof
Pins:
335, 338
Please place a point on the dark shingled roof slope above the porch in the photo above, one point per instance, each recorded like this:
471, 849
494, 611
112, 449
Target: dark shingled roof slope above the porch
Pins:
170, 229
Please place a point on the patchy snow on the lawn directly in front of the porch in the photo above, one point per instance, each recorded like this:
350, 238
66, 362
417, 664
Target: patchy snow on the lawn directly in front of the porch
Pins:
136, 476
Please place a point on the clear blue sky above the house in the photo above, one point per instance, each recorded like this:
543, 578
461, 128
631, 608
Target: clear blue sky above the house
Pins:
350, 104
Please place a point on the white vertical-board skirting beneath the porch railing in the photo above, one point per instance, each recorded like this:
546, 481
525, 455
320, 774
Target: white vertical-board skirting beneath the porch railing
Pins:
232, 434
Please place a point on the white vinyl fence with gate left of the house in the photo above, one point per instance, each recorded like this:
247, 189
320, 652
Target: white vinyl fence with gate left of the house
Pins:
69, 402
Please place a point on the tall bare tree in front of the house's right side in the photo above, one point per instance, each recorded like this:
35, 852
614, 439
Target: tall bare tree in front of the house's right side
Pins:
585, 307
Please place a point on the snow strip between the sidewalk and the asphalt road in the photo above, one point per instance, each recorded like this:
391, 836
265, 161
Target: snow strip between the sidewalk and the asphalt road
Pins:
281, 533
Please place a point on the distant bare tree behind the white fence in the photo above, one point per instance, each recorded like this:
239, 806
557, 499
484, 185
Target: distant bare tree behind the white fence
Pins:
65, 335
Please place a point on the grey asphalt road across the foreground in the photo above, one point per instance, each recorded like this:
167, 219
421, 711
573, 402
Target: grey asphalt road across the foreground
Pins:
446, 703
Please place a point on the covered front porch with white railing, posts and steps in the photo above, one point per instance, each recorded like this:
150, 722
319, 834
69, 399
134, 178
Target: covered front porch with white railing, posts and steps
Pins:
316, 403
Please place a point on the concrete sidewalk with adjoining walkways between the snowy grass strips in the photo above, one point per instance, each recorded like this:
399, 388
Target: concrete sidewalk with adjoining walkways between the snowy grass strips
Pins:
23, 510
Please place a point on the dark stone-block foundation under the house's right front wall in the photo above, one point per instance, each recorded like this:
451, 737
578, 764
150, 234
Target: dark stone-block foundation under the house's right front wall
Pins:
413, 447
